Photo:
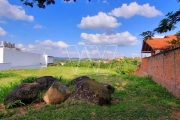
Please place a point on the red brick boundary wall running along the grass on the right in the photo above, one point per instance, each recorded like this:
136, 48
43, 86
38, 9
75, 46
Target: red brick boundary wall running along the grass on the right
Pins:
164, 69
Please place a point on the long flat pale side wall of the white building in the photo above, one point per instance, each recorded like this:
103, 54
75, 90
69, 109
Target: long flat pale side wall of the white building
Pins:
21, 59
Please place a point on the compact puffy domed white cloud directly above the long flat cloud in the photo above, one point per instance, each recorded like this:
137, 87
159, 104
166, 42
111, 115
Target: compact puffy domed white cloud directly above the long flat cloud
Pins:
100, 21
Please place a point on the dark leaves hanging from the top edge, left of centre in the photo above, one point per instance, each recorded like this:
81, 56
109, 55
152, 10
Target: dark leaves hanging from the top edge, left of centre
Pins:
41, 3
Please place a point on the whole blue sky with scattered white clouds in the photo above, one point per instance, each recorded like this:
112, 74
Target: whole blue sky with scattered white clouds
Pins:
100, 28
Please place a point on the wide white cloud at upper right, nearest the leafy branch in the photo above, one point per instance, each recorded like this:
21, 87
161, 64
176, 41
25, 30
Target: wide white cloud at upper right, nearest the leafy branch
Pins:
133, 8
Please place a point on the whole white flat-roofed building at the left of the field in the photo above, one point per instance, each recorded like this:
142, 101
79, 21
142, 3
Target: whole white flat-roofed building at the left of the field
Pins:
14, 58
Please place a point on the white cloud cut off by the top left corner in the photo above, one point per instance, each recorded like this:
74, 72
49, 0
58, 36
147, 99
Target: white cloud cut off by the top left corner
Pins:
13, 11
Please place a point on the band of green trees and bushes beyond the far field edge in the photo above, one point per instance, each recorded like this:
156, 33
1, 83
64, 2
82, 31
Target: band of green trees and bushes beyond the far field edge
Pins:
121, 66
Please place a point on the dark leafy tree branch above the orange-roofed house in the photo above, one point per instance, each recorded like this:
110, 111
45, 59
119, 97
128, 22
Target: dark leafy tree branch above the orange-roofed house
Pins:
165, 25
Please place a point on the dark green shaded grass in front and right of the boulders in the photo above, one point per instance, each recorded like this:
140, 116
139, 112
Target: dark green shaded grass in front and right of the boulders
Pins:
142, 98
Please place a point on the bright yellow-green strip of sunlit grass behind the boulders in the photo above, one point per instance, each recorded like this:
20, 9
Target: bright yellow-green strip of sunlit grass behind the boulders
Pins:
67, 72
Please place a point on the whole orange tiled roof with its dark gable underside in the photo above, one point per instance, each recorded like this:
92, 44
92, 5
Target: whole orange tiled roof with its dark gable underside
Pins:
157, 43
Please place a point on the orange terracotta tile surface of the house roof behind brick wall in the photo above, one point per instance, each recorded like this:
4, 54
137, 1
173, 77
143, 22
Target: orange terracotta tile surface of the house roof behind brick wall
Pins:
160, 43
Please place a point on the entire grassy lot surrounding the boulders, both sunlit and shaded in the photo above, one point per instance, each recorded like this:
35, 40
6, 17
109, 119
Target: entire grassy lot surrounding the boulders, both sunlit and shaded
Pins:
140, 98
